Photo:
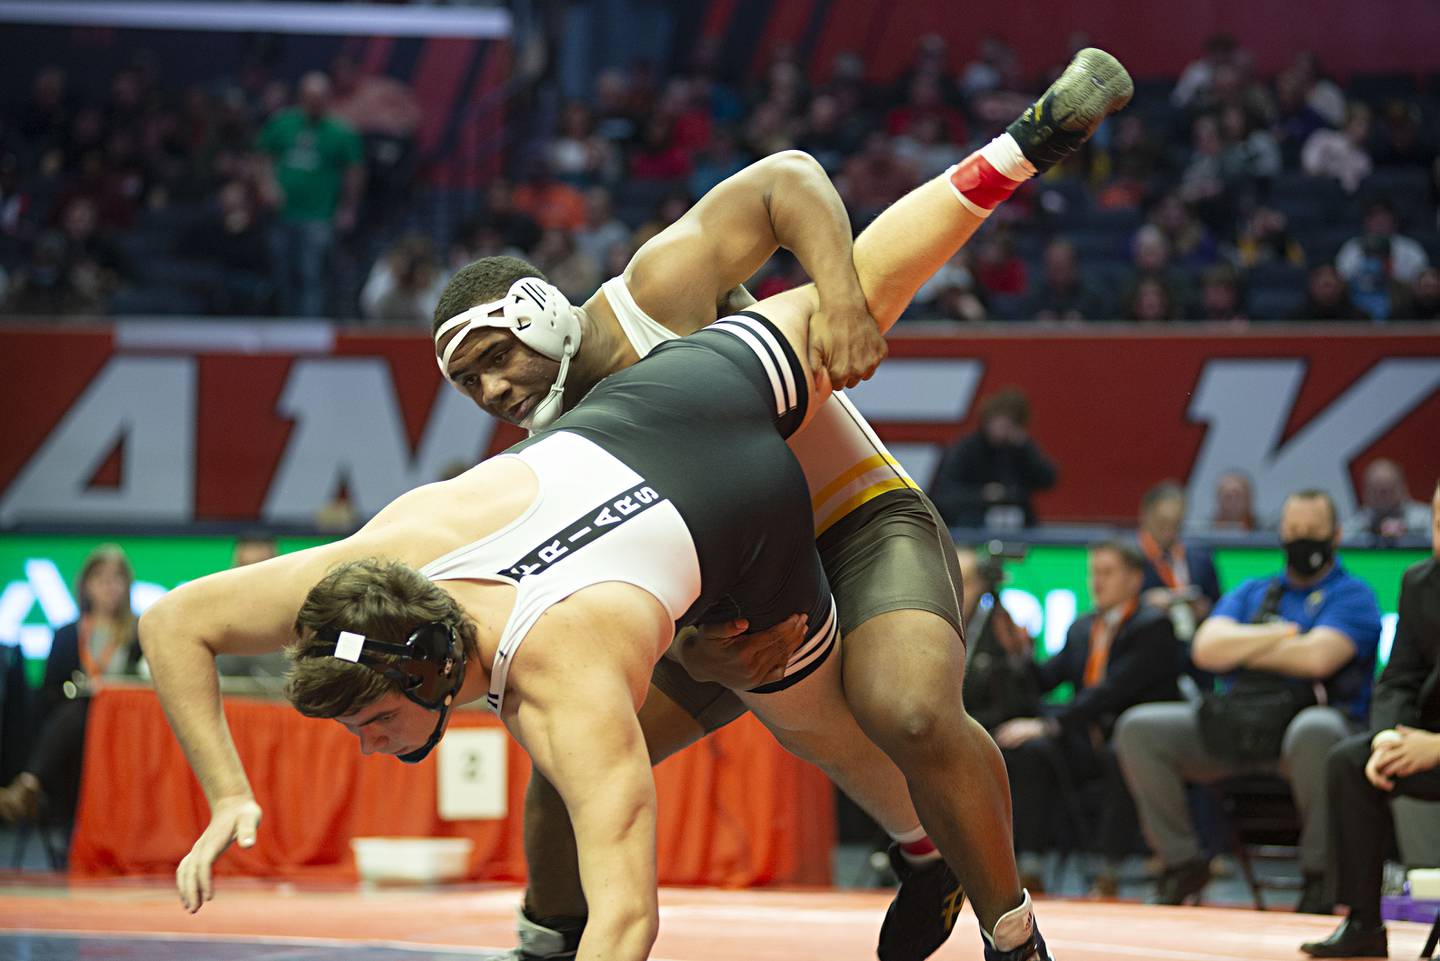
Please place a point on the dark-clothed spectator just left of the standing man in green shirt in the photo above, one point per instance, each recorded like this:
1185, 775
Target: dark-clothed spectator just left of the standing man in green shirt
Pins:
234, 238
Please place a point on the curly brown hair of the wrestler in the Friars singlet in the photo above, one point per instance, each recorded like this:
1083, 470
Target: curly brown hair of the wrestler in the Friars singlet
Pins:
379, 599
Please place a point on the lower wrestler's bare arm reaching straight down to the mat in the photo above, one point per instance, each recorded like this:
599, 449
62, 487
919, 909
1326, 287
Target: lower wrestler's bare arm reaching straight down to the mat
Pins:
577, 685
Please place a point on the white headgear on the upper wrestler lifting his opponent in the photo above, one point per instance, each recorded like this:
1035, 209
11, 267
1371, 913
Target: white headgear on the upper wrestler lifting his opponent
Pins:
542, 319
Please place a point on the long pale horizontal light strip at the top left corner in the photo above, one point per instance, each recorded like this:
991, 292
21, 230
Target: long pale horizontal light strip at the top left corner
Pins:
359, 19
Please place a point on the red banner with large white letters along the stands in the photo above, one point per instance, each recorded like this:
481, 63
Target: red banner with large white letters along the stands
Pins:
181, 423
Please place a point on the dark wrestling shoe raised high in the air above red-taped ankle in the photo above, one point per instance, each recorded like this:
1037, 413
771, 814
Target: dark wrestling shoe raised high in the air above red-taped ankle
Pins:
1094, 87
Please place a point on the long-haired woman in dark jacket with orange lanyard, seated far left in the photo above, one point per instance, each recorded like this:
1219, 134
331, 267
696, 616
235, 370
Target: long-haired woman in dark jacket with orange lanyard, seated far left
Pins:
102, 645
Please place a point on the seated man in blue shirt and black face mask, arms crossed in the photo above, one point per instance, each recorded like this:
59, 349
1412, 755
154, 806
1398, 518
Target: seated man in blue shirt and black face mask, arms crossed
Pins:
1297, 655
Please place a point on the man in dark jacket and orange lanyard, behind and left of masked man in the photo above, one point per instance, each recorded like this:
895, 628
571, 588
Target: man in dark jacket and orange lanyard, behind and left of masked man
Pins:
1179, 580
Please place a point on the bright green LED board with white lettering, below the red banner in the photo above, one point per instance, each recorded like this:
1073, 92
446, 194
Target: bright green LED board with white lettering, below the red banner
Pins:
1045, 591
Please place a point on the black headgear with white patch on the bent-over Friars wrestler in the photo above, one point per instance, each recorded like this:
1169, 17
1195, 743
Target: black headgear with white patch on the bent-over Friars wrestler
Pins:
430, 674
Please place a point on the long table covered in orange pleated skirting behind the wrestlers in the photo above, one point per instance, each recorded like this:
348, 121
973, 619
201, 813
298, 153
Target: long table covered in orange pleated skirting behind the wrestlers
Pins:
735, 810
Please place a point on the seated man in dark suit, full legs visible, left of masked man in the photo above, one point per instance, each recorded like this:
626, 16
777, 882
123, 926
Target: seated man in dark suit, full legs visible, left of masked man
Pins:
1120, 655
